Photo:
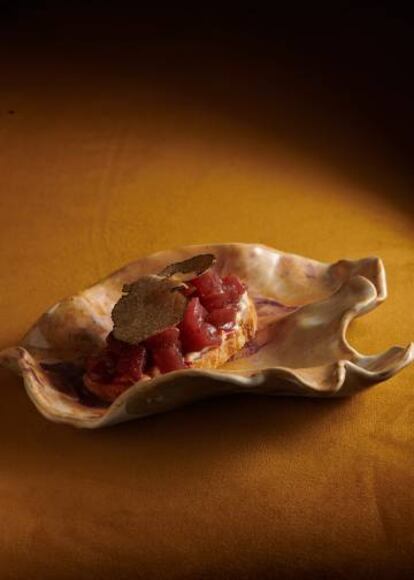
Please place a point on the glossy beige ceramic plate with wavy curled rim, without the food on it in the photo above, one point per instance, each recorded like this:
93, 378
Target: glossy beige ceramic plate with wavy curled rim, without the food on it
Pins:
304, 308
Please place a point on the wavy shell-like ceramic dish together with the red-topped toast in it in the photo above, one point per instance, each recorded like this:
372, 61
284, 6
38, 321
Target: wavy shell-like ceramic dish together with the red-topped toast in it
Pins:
197, 322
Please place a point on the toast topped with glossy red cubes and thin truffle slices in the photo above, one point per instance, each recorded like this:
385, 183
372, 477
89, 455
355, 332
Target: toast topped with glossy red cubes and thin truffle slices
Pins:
186, 317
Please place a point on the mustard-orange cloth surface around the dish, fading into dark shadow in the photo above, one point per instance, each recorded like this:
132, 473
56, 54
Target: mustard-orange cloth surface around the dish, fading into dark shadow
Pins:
95, 173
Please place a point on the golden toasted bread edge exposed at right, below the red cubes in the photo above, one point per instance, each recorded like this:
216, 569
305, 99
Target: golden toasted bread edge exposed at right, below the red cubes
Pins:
233, 341
